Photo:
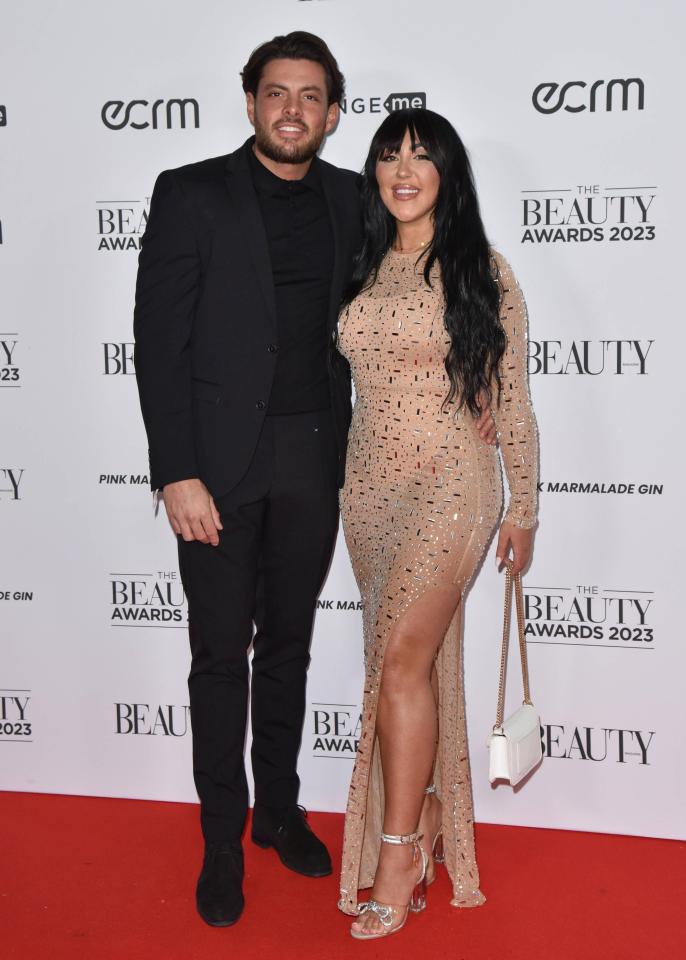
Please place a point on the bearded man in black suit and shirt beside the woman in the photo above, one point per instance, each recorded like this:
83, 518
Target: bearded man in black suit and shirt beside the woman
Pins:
247, 406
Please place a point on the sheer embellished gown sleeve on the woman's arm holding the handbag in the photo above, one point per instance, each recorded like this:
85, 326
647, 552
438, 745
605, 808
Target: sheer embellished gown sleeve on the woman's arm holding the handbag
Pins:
514, 415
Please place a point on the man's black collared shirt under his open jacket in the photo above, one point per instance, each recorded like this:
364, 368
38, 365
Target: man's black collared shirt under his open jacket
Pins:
300, 241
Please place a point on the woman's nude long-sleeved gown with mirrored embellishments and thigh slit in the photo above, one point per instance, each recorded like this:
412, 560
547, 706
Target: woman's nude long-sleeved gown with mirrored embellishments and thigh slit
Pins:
422, 496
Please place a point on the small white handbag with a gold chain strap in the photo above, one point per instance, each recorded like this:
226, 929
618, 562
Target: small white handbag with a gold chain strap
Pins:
515, 747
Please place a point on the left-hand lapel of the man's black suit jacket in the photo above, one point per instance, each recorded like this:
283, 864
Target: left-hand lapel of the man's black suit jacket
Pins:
244, 198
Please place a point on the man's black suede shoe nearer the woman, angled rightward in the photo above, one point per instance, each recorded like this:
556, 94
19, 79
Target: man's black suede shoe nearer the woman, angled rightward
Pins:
288, 832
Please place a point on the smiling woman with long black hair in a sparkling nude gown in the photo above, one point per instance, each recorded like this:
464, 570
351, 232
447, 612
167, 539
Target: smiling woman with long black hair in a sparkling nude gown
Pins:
433, 323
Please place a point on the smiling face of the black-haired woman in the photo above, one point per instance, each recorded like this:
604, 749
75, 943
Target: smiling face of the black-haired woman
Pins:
408, 183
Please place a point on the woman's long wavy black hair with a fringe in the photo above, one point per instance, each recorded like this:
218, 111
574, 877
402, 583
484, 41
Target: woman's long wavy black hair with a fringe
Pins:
459, 246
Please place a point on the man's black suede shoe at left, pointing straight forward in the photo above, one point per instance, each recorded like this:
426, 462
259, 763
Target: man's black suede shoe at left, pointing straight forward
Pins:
219, 894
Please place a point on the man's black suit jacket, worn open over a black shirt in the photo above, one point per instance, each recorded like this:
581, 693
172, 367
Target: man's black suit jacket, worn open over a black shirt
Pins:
205, 321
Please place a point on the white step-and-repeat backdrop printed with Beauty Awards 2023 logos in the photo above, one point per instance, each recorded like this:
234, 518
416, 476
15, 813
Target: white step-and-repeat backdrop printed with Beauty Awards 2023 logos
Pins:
571, 118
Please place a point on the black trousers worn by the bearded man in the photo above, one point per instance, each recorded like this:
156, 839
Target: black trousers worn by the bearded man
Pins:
279, 530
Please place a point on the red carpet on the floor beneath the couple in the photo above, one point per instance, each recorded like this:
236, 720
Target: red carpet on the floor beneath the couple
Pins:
100, 879
